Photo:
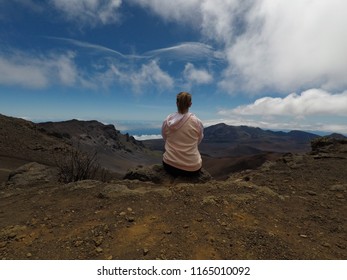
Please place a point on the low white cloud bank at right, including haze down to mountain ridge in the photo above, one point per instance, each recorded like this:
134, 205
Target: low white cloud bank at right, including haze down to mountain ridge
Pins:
312, 110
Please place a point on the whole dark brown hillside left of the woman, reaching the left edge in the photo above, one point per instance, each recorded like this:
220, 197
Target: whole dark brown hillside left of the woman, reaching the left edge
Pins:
47, 142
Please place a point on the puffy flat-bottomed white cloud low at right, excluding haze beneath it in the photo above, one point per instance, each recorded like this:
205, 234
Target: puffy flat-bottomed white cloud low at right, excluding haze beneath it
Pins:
308, 103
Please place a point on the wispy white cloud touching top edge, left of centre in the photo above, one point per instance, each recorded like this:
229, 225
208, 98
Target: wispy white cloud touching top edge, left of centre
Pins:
89, 12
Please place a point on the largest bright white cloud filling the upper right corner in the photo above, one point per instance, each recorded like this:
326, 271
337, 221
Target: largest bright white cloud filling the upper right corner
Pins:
289, 45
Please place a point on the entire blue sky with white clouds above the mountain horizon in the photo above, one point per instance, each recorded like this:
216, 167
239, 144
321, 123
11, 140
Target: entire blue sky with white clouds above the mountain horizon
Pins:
278, 65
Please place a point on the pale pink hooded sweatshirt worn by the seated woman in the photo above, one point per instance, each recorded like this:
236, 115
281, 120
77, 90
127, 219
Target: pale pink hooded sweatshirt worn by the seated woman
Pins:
182, 134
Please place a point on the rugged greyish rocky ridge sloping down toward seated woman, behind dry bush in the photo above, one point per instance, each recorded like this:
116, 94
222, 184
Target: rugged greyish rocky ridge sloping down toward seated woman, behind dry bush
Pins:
116, 151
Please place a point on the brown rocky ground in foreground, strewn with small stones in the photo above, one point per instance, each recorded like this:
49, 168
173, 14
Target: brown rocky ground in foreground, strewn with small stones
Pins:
291, 208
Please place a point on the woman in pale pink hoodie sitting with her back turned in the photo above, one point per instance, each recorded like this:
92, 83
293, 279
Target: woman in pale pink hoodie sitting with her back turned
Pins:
182, 132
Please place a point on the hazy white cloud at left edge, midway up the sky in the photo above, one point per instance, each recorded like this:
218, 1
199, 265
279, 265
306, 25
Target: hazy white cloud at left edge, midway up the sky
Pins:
37, 71
